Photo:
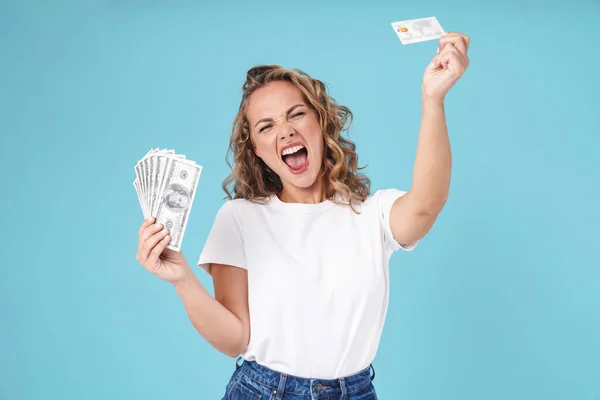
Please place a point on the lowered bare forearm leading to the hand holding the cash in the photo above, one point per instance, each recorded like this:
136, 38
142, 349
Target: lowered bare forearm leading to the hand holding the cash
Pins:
219, 326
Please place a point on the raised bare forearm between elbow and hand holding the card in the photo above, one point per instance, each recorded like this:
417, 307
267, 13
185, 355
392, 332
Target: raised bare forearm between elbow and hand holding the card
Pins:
433, 162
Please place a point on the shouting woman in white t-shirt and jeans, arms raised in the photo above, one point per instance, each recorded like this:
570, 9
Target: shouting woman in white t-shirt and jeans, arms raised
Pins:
299, 256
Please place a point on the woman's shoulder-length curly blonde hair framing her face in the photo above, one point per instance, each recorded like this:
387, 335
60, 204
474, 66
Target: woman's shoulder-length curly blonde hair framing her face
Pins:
253, 180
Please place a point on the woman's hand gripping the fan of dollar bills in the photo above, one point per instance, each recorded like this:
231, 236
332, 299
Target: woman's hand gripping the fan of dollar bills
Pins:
153, 254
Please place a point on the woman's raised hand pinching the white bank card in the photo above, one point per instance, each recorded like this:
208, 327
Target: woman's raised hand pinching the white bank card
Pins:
447, 66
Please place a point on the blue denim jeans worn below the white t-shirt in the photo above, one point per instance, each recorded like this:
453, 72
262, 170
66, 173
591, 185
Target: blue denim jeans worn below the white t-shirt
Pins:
253, 381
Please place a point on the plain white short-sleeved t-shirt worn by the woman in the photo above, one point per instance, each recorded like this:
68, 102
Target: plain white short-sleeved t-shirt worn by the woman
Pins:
317, 279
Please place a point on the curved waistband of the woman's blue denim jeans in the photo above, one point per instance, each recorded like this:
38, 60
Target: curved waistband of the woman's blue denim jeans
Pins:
316, 388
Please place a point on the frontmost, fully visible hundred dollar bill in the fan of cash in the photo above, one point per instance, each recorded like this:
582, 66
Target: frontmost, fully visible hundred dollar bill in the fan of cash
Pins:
176, 195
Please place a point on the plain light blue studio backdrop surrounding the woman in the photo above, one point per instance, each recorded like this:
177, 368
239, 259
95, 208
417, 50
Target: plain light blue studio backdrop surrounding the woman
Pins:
499, 301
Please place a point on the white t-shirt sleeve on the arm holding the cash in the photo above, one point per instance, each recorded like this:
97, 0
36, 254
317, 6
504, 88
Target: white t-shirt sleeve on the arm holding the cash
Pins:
224, 244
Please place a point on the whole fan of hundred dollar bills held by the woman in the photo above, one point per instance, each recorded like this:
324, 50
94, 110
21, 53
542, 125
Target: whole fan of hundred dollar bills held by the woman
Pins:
166, 184
